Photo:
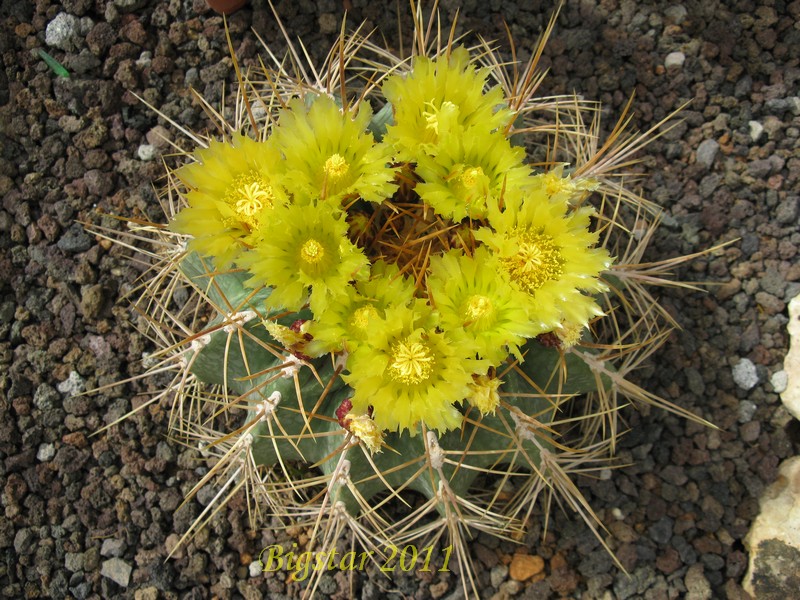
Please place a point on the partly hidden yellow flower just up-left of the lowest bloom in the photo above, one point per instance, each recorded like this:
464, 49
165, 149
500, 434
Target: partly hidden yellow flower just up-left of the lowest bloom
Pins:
352, 318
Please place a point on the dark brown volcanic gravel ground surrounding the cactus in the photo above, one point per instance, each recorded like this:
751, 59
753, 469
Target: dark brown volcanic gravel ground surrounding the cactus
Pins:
94, 516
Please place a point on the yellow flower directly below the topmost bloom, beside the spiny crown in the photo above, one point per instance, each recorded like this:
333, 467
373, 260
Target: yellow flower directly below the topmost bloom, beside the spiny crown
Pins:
468, 171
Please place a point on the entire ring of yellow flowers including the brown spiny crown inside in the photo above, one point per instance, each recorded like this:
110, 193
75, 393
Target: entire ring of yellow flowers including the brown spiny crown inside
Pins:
428, 257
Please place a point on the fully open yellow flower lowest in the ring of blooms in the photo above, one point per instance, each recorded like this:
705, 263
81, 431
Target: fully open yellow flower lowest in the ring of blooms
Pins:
410, 373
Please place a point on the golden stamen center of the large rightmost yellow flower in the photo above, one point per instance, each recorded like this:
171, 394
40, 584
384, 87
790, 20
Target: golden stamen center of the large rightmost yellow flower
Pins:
537, 261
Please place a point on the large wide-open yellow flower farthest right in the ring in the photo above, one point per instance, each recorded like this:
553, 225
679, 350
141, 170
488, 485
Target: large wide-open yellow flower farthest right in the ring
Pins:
547, 251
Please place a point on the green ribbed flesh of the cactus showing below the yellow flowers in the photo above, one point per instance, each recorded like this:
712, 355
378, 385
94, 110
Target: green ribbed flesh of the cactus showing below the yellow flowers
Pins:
242, 362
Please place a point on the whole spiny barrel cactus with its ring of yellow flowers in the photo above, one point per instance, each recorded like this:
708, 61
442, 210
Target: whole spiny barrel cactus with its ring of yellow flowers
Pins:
414, 288
